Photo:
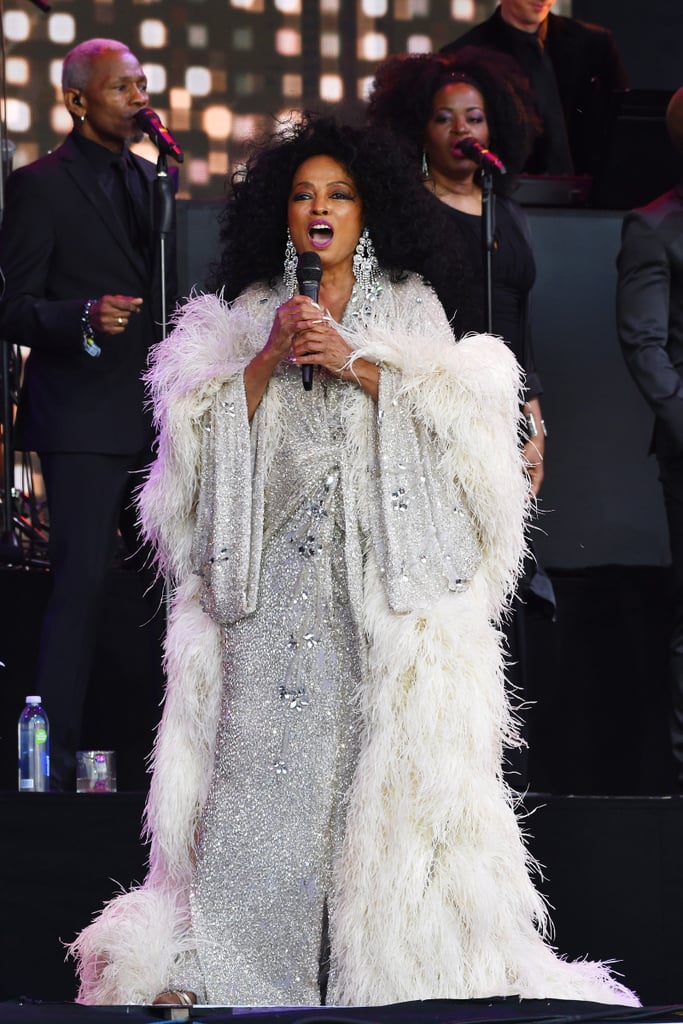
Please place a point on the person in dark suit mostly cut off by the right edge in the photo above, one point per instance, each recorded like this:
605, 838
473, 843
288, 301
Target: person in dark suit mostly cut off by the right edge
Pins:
650, 316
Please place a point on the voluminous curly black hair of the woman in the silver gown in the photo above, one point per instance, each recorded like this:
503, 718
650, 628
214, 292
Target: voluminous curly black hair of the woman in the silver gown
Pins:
254, 222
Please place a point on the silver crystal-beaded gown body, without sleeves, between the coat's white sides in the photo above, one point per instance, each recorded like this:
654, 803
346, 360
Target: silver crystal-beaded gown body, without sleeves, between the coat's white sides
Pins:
289, 800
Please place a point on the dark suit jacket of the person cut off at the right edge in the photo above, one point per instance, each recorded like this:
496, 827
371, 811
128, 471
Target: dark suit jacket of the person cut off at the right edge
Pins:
650, 312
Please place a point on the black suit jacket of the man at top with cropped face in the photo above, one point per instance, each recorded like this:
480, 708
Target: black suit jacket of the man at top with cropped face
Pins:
588, 69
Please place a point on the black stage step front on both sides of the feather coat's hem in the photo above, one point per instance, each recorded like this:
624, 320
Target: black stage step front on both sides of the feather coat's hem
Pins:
612, 867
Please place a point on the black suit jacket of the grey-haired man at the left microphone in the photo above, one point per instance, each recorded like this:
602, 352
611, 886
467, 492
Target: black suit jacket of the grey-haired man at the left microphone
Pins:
61, 244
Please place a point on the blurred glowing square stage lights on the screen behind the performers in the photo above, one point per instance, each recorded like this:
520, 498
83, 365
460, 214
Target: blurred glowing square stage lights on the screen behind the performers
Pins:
219, 70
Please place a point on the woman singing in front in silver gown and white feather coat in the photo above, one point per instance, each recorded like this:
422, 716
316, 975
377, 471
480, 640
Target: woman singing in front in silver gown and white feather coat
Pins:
327, 813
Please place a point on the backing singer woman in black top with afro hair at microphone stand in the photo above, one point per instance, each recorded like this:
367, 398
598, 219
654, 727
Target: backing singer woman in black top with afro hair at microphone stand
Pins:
434, 102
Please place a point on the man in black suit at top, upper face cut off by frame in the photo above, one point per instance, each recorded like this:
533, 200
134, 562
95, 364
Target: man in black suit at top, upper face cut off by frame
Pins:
574, 70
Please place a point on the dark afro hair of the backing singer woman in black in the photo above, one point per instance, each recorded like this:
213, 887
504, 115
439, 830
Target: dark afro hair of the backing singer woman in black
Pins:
405, 88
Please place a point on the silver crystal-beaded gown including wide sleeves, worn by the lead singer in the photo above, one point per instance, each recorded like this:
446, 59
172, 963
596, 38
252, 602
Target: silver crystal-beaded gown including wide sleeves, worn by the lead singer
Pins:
303, 639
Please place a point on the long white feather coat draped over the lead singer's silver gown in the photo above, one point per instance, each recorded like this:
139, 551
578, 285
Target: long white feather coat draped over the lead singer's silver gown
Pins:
435, 898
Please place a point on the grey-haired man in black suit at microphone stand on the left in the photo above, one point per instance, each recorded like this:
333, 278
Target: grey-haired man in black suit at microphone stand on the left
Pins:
83, 292
